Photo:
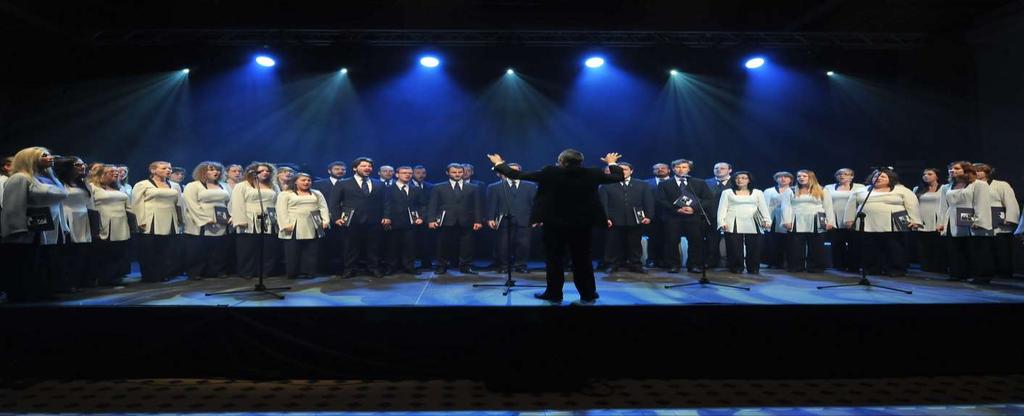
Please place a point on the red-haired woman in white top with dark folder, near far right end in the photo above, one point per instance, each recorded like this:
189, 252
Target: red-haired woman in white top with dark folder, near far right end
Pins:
966, 217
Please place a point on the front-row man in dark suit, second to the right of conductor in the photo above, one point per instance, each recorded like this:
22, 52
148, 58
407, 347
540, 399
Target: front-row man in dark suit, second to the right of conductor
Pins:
684, 199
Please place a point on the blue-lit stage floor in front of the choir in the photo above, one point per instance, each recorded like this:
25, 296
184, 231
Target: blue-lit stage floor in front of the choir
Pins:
772, 287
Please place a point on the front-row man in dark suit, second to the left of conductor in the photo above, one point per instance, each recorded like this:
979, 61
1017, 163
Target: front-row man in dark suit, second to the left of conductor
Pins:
455, 211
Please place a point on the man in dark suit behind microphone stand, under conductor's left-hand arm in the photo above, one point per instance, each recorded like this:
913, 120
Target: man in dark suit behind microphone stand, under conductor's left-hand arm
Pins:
509, 203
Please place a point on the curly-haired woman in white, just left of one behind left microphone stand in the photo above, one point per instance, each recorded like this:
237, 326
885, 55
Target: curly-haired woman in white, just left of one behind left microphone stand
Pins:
206, 223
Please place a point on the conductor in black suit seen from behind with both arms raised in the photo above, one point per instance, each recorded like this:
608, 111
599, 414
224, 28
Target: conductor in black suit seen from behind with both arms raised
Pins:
568, 206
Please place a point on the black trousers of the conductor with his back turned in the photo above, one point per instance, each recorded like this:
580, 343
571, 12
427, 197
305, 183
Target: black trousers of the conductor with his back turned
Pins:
577, 240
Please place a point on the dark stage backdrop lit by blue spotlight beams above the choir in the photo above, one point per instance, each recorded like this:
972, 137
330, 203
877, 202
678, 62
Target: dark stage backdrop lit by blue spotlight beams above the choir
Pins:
910, 109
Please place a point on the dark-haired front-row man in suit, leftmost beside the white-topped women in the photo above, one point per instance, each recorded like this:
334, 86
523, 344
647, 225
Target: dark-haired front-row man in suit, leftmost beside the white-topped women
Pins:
360, 205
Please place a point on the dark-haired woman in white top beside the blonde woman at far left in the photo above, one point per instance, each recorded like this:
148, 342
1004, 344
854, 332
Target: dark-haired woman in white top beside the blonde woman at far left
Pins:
79, 213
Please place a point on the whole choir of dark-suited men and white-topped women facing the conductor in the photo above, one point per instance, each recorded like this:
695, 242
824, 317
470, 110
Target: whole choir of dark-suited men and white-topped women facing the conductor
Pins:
66, 225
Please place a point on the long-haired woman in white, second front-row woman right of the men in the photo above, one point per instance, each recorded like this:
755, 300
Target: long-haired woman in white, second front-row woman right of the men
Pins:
807, 215
